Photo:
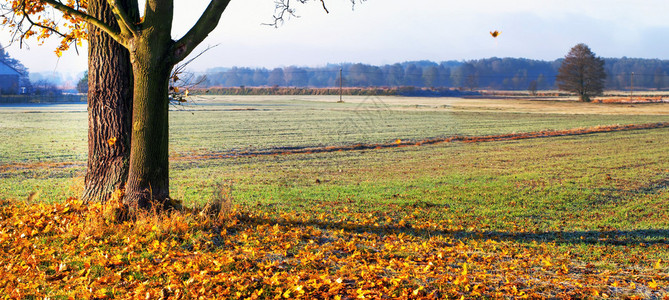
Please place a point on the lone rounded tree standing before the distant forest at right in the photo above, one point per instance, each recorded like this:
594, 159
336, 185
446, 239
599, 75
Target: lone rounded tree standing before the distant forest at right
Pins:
582, 72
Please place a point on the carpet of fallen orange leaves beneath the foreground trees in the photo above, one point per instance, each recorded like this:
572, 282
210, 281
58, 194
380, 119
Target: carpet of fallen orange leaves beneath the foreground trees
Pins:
69, 250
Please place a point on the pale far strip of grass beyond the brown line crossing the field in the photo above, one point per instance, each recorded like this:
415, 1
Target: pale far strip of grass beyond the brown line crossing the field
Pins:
58, 133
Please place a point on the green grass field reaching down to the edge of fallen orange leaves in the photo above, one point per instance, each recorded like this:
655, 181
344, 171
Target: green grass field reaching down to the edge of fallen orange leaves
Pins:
600, 199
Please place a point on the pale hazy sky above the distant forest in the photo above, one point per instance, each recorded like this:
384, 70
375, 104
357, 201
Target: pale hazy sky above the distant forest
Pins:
388, 31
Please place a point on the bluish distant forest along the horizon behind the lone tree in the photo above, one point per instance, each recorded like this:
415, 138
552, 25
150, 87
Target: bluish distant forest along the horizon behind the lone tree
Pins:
491, 73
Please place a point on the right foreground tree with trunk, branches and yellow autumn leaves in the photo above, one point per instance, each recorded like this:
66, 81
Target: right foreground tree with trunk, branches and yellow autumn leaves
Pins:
153, 53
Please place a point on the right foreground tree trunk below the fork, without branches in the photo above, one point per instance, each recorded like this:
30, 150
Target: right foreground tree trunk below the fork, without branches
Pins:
148, 179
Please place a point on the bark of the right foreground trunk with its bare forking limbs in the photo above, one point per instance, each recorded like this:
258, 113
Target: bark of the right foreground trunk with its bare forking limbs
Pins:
153, 53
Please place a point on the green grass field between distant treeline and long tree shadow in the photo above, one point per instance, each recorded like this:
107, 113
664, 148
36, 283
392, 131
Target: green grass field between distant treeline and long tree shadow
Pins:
49, 146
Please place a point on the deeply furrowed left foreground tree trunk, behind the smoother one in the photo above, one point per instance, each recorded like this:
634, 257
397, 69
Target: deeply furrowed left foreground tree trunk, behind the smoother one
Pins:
109, 110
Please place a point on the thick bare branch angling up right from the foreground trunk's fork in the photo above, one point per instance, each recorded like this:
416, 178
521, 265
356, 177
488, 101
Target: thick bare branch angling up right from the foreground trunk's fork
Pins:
205, 25
